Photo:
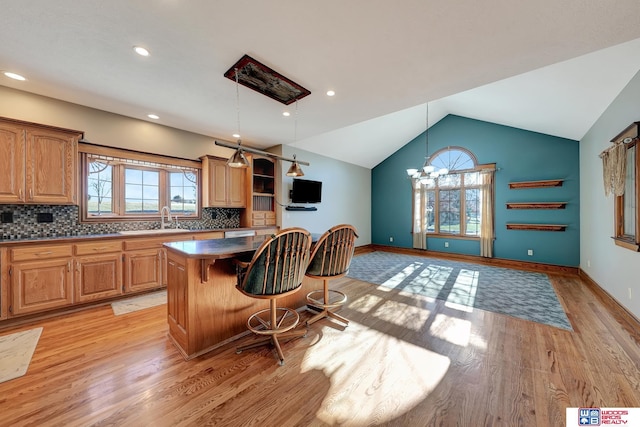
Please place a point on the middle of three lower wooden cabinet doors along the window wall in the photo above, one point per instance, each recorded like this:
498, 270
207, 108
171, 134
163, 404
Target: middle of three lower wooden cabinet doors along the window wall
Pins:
97, 277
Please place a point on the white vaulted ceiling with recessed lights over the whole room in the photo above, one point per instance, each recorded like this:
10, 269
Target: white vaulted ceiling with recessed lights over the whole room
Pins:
542, 65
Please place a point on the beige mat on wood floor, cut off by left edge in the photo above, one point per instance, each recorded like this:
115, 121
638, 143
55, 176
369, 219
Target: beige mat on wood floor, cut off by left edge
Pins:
16, 351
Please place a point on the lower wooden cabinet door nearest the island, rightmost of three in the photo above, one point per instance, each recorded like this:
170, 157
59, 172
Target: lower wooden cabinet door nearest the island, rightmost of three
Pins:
143, 270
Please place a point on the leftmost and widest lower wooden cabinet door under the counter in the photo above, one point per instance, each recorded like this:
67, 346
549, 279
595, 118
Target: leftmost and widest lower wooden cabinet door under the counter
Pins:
41, 285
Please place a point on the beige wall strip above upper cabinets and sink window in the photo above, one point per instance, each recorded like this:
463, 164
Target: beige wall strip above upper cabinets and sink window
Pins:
104, 128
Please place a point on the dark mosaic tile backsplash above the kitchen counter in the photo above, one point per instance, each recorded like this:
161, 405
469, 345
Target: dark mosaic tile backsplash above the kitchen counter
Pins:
65, 222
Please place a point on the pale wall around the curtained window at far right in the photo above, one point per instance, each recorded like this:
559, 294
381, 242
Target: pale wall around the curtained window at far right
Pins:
614, 268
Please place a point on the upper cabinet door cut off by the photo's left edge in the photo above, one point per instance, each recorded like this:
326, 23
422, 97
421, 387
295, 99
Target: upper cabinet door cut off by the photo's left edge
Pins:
12, 158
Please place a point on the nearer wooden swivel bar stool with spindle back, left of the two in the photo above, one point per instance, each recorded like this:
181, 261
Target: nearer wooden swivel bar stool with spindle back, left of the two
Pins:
276, 270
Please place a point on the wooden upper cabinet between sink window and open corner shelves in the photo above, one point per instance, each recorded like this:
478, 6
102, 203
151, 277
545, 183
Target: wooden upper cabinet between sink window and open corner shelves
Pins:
223, 186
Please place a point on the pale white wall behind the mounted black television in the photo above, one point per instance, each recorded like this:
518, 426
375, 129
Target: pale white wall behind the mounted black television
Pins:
346, 195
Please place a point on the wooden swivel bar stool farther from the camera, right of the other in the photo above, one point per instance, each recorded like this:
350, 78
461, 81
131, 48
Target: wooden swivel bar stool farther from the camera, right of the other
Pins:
330, 259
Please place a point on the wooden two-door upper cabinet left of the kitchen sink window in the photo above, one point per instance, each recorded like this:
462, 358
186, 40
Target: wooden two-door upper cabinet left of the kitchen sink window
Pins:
38, 164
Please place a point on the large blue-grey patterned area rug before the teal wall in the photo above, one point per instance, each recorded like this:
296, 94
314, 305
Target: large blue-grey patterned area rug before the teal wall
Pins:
521, 294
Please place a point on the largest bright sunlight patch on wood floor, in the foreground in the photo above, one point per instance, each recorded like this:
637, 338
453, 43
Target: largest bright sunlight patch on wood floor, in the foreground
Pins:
374, 377
